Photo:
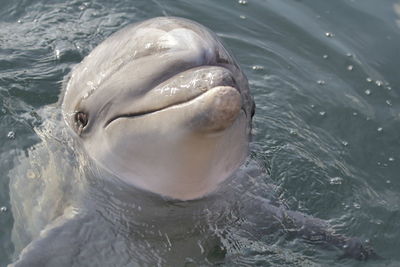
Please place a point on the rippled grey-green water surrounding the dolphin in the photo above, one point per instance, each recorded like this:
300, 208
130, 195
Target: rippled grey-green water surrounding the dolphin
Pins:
325, 78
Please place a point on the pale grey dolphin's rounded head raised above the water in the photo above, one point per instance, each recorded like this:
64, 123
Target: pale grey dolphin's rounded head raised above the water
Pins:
163, 106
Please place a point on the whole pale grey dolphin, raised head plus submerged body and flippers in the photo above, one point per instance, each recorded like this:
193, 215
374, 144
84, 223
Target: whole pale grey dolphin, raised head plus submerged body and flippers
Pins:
157, 127
